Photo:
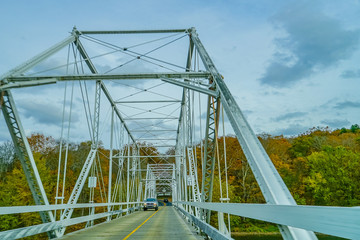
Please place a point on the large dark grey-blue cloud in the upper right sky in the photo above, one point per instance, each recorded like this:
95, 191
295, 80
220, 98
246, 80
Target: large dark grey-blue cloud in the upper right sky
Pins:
313, 41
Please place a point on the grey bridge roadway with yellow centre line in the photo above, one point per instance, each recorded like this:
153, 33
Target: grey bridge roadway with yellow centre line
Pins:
163, 224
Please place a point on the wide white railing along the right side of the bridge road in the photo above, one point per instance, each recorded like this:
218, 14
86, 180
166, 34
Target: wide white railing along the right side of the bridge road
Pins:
336, 221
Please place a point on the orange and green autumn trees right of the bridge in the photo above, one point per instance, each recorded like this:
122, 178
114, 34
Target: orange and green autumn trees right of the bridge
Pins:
320, 167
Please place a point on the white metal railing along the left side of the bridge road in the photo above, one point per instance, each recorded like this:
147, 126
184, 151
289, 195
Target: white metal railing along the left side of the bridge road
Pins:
54, 226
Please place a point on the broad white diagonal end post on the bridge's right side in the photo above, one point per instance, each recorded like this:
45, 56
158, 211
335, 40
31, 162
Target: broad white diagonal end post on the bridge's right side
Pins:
269, 180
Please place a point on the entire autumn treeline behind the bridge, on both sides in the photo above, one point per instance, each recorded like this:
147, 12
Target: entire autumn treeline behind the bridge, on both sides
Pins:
320, 167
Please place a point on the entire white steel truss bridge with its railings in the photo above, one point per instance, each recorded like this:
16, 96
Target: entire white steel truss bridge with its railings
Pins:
154, 84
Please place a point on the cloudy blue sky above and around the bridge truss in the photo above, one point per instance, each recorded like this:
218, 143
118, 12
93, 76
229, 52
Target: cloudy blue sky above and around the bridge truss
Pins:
291, 65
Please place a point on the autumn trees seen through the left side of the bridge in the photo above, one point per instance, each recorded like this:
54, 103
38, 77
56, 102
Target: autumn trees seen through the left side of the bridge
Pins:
14, 190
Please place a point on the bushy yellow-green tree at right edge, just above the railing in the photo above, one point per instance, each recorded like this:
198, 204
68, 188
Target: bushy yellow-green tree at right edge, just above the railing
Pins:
334, 177
